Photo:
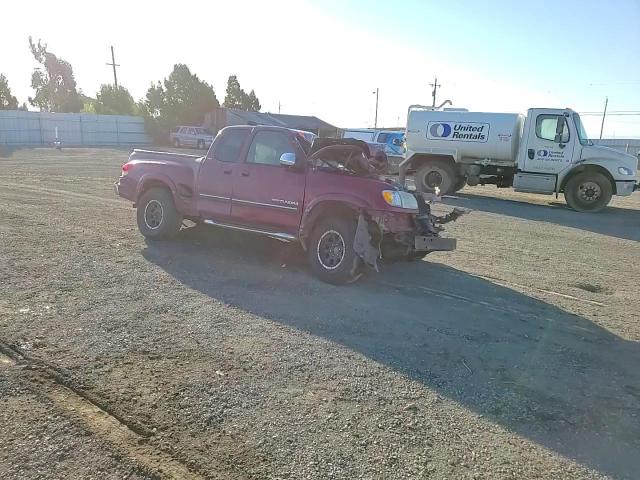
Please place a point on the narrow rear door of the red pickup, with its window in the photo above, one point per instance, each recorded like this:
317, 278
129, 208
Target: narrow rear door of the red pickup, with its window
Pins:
215, 178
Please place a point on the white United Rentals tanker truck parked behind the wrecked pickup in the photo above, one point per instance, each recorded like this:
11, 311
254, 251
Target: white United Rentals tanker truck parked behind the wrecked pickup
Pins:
547, 151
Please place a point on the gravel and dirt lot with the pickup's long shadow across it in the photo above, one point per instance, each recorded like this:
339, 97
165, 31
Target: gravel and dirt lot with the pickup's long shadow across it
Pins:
218, 355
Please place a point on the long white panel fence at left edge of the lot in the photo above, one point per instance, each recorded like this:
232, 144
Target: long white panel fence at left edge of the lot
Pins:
18, 128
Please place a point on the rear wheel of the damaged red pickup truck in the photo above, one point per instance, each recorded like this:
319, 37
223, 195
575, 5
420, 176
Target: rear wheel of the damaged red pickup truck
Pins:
157, 216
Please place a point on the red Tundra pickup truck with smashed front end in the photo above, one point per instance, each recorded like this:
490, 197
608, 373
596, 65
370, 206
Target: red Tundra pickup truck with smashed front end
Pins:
289, 185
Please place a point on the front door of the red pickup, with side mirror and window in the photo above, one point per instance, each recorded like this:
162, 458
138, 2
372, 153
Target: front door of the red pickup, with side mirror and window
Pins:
267, 194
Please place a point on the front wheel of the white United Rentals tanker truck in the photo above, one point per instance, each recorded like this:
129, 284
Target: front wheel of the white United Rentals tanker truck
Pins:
588, 192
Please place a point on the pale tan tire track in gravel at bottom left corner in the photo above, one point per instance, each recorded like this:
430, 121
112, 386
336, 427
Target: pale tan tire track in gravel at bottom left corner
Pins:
122, 436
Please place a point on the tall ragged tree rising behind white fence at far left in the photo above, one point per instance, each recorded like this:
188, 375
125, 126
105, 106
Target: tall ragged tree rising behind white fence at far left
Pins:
53, 82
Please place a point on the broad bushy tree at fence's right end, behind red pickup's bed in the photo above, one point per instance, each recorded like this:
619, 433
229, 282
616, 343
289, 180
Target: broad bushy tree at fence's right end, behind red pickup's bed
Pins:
181, 99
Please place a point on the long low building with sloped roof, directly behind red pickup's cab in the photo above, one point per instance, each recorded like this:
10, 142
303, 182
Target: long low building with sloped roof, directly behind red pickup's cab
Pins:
224, 117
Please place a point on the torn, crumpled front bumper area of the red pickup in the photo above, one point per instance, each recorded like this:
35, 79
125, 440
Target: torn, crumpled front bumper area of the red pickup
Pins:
395, 236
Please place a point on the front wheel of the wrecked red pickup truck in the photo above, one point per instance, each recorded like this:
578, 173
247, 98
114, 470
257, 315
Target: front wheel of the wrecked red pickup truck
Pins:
343, 265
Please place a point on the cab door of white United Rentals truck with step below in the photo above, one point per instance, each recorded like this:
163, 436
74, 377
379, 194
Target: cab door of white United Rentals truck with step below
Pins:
548, 148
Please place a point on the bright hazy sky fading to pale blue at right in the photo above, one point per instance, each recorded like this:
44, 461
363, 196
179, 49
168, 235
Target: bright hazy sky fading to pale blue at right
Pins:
327, 58
